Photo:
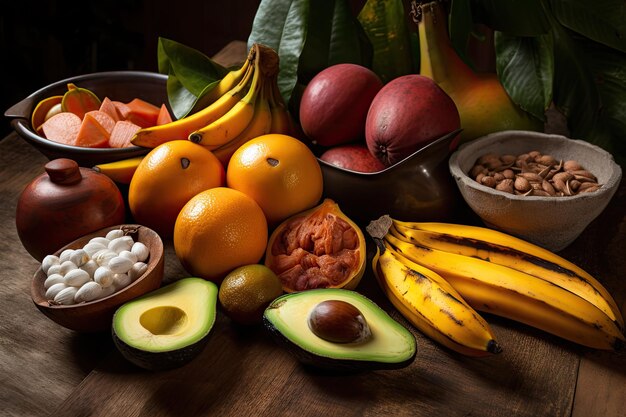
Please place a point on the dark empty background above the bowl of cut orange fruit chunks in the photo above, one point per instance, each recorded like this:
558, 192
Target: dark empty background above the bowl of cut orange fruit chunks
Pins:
45, 41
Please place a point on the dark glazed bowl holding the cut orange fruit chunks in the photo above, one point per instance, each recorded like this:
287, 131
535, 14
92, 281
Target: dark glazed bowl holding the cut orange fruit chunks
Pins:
117, 85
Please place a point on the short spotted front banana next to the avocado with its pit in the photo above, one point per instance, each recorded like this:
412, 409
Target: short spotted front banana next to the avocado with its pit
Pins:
432, 305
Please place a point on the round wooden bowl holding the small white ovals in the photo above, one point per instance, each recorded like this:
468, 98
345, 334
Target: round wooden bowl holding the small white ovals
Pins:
96, 316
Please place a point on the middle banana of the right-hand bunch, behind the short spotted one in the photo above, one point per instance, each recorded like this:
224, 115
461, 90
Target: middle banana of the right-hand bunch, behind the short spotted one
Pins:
518, 296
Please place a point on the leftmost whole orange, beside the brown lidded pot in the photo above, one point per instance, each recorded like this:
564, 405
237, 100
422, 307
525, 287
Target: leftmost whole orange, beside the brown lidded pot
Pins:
167, 177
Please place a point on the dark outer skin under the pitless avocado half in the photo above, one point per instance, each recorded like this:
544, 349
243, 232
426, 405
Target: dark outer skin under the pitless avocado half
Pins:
160, 361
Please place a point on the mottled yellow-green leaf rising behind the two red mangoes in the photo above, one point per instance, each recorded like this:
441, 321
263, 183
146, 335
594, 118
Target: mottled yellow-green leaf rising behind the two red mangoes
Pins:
384, 22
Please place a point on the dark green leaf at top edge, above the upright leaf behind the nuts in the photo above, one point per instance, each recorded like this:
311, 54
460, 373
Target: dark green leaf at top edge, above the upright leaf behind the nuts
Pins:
515, 17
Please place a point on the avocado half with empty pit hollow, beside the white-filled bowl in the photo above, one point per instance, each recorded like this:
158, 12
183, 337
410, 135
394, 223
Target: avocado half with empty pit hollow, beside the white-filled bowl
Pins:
167, 327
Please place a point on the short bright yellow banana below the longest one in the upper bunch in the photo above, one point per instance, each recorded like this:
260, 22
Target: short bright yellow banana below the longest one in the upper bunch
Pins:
231, 124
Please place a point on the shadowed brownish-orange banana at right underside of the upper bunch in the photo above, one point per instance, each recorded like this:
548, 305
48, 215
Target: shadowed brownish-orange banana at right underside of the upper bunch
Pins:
260, 125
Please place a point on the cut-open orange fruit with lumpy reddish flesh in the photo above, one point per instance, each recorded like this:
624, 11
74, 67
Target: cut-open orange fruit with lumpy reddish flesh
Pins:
318, 248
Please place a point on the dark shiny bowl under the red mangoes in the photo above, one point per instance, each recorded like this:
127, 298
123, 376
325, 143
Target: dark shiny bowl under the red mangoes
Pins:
418, 188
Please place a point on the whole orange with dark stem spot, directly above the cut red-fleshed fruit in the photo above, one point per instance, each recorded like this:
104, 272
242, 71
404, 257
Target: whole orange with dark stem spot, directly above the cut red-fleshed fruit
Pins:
279, 172
